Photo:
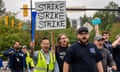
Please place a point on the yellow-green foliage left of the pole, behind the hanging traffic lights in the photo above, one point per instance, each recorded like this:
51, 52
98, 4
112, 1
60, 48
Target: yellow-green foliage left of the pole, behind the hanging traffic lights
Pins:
9, 35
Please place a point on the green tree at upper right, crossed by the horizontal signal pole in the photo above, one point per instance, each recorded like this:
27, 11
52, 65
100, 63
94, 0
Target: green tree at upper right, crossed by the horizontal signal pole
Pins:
107, 17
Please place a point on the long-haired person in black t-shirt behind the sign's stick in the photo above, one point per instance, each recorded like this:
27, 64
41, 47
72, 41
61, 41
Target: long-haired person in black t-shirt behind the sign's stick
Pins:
60, 49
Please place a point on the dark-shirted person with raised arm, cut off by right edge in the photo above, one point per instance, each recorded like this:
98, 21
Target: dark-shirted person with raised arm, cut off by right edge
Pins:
116, 51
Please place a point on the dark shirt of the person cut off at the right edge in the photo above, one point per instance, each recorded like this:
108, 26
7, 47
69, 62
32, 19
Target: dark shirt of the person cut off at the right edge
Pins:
116, 56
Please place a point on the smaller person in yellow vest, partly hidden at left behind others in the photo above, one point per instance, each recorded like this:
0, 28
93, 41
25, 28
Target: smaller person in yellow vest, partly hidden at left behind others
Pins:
28, 59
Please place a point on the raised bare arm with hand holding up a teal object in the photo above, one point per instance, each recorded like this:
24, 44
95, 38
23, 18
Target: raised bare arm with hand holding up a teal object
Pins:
96, 23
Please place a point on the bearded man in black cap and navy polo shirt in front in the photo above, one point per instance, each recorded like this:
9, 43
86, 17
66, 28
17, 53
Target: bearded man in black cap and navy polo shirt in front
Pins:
83, 56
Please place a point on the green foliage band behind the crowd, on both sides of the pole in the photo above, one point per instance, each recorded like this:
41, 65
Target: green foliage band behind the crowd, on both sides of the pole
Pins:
9, 35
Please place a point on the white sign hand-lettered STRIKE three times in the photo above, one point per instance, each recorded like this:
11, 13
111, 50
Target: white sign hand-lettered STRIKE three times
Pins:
51, 15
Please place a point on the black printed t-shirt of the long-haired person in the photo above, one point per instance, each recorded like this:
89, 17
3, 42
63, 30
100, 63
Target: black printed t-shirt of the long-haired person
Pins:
60, 53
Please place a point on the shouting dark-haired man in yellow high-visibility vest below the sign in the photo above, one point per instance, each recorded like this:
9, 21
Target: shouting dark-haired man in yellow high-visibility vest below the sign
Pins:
44, 59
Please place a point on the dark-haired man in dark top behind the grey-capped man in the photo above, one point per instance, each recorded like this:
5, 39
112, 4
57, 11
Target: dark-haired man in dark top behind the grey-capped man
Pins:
107, 42
